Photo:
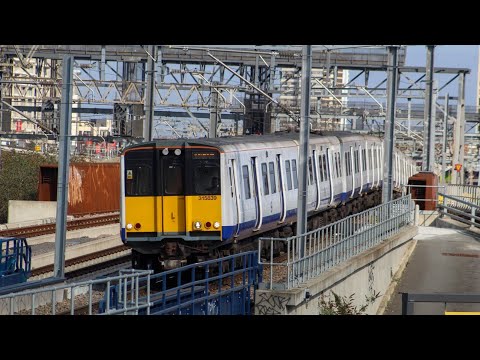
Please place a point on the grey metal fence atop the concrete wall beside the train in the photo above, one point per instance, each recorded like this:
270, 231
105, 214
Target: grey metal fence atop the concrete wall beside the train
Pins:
316, 251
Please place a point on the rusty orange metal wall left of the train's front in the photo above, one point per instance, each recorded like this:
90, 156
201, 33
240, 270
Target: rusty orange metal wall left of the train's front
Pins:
92, 188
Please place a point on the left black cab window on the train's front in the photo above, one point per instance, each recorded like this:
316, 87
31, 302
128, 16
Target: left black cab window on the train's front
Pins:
139, 173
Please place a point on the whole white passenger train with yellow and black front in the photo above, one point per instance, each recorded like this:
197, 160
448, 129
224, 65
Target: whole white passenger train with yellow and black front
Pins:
188, 200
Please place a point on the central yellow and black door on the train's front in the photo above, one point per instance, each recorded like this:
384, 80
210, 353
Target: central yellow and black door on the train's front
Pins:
171, 185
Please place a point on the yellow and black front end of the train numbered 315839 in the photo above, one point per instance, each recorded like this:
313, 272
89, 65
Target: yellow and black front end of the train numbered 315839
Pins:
171, 199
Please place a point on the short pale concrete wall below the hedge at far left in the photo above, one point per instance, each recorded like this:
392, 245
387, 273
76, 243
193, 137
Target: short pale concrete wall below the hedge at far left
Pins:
21, 210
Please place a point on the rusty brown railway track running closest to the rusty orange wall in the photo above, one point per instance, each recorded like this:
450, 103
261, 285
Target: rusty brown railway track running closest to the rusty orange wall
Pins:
45, 229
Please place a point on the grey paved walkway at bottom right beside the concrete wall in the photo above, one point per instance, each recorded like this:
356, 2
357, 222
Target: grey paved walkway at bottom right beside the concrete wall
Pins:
444, 261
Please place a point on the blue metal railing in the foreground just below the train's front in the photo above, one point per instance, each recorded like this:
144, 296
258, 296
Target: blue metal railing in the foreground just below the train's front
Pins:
215, 287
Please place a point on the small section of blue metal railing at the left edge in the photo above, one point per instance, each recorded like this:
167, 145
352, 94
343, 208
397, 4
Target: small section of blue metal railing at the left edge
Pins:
15, 261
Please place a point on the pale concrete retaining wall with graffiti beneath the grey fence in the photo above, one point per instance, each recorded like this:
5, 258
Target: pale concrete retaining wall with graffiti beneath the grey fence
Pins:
363, 275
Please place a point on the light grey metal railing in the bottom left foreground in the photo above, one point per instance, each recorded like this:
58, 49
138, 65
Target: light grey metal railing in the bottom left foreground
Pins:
80, 297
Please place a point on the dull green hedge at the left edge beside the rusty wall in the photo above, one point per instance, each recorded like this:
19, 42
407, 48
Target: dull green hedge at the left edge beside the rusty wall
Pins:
19, 177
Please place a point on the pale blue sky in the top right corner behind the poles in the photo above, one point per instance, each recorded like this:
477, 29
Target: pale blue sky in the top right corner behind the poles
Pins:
458, 56
